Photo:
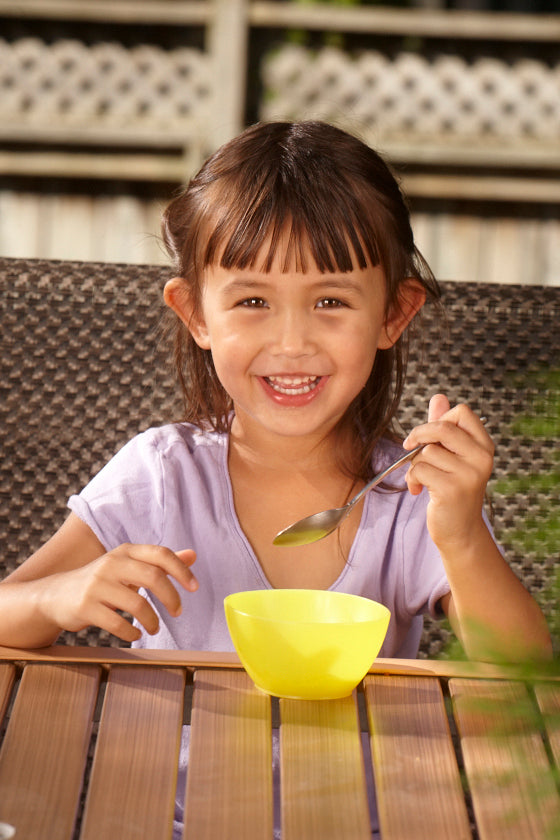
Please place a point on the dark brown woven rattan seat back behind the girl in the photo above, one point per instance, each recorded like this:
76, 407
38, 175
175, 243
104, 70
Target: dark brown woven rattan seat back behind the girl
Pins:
82, 370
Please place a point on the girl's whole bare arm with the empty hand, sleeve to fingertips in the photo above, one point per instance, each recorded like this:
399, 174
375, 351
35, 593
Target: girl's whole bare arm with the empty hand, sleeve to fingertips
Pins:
72, 582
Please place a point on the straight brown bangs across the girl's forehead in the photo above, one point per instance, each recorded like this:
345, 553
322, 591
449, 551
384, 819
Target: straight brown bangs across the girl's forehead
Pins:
278, 217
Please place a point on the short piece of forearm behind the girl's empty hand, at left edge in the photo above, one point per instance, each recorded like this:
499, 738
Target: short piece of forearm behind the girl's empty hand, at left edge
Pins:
23, 620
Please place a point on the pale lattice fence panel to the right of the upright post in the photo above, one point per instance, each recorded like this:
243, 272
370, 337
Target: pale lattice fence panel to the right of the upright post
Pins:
446, 101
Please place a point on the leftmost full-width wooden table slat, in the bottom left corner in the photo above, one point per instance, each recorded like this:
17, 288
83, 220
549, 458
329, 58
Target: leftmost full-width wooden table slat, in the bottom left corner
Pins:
44, 752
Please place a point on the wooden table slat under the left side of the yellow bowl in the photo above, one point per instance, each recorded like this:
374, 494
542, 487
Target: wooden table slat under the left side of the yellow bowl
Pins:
230, 761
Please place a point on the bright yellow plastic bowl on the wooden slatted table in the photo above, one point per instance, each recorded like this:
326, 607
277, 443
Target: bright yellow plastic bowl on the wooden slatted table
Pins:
305, 643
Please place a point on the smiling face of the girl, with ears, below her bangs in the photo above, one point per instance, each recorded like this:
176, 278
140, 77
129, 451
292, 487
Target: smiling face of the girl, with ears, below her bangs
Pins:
292, 349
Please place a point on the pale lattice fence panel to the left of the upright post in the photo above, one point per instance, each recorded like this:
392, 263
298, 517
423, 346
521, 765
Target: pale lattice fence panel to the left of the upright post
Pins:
103, 91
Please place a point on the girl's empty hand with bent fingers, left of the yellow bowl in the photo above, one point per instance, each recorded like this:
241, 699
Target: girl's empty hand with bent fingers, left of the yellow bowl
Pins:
92, 593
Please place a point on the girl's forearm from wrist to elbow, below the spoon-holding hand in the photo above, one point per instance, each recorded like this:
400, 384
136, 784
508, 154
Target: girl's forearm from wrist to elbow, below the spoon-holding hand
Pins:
490, 610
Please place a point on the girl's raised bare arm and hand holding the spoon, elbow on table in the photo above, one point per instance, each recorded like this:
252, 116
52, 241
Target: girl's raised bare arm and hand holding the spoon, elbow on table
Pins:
490, 610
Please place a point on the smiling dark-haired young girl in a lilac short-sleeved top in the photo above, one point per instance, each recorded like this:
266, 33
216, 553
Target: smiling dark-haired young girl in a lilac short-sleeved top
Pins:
297, 278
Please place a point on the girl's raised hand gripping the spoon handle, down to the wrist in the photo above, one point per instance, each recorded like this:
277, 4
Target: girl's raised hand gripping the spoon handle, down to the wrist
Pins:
455, 467
